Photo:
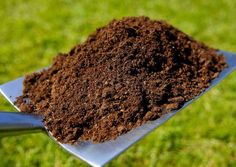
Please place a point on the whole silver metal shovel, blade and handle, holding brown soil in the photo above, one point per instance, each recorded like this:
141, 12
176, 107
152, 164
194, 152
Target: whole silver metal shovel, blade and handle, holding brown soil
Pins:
12, 123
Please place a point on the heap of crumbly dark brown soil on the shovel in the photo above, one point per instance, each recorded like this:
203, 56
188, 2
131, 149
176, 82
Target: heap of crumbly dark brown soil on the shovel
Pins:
127, 73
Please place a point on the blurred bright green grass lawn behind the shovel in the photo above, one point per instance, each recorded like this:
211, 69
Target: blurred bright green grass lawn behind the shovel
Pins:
203, 134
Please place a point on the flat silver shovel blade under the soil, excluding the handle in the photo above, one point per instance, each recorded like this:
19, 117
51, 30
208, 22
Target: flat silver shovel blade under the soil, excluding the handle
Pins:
99, 154
